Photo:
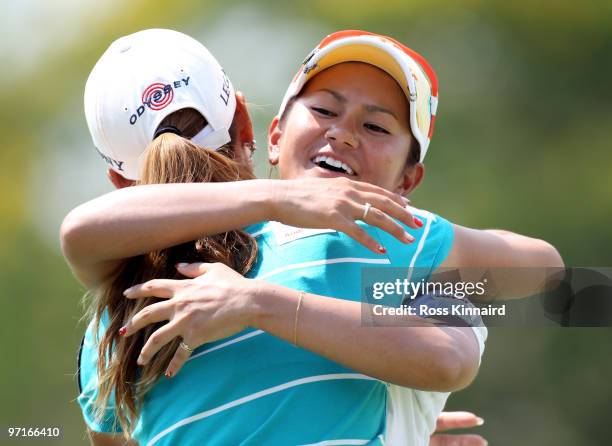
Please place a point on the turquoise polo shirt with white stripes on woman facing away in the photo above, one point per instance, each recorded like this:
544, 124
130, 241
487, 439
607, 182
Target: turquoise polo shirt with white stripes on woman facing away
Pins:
256, 389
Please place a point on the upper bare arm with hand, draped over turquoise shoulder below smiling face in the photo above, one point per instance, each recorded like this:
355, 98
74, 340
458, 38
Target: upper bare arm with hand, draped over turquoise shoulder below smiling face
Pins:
132, 221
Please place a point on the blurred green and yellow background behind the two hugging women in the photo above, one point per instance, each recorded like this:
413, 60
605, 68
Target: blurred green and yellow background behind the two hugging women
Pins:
522, 143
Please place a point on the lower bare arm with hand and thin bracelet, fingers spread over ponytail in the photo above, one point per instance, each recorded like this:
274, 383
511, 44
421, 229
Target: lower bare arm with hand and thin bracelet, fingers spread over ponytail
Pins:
220, 302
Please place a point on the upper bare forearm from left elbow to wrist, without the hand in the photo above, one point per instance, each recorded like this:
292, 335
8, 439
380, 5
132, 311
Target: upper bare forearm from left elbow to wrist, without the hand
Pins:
132, 221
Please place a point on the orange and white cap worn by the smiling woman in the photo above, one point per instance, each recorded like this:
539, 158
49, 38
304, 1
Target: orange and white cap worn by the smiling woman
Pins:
410, 70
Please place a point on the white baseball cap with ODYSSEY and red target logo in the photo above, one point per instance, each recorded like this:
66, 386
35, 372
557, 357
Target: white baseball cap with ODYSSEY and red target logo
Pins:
144, 77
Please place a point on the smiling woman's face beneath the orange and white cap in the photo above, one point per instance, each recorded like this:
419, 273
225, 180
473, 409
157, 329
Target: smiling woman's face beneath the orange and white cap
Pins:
350, 120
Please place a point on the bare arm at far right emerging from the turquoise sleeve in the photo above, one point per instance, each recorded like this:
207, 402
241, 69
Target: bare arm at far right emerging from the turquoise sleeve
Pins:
516, 264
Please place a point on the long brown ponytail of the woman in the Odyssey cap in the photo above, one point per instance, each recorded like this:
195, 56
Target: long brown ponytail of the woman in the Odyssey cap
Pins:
168, 159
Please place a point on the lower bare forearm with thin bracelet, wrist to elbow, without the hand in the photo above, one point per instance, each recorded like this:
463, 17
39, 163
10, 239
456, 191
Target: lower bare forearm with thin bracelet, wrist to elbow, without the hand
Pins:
427, 358
